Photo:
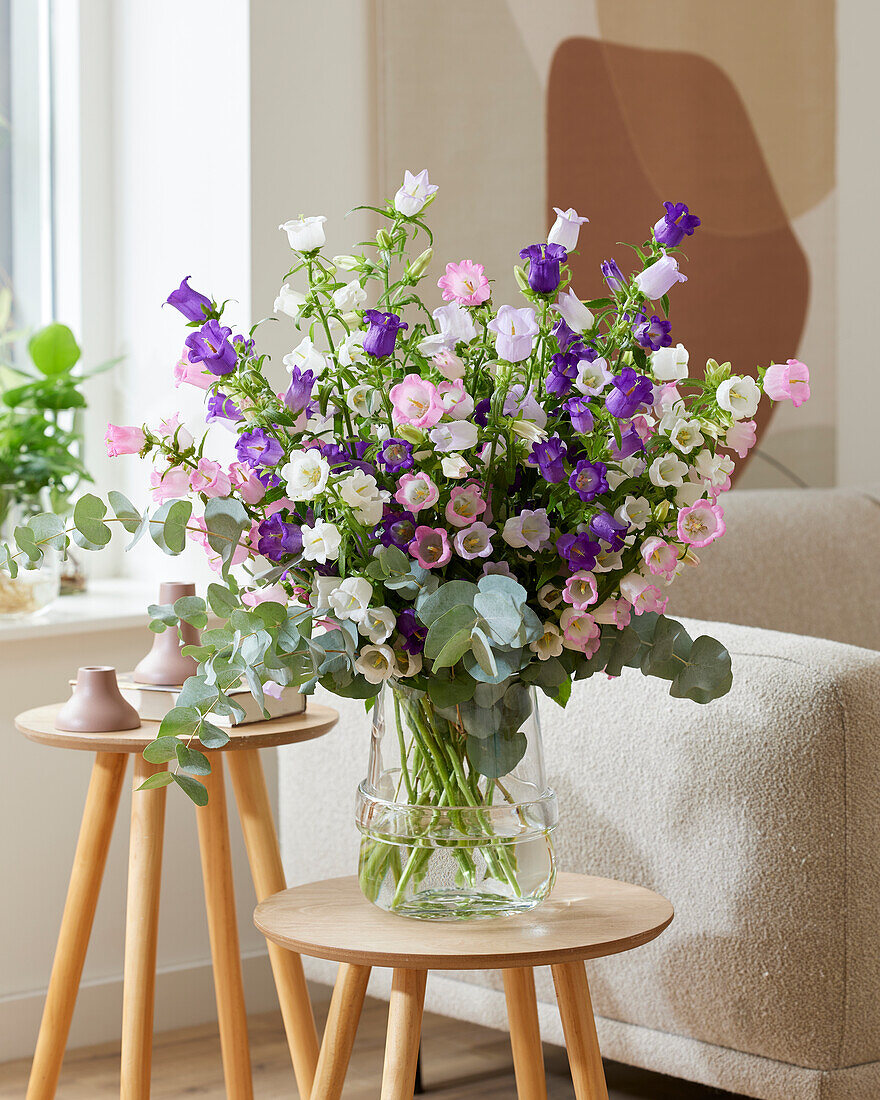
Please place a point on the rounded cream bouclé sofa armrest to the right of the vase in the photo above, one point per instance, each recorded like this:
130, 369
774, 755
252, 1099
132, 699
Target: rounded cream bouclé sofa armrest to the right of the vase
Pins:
760, 817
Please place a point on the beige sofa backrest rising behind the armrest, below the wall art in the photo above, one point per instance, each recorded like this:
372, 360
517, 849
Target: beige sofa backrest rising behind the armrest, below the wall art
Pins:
805, 562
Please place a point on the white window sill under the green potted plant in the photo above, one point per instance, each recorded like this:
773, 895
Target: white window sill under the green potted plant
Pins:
108, 606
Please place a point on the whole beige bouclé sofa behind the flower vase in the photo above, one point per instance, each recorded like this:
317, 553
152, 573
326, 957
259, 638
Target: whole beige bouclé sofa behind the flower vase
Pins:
758, 816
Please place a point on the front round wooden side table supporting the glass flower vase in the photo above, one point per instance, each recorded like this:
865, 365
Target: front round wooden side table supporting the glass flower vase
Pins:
584, 919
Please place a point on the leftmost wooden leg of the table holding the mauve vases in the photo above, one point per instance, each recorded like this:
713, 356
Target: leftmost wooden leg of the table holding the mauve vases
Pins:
95, 833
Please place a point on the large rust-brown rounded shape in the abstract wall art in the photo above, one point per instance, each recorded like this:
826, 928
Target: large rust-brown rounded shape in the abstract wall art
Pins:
747, 292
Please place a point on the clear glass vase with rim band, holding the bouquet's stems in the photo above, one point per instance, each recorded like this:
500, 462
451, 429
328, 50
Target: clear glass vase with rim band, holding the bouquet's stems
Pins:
456, 817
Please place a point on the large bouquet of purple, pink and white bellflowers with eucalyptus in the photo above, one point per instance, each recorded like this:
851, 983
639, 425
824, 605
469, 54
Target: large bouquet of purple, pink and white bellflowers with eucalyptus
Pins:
456, 499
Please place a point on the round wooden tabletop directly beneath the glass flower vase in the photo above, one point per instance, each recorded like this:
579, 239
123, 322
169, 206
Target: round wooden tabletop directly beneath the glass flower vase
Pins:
584, 918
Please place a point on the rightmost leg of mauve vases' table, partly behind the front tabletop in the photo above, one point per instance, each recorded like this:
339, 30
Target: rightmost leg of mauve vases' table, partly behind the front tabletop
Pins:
246, 769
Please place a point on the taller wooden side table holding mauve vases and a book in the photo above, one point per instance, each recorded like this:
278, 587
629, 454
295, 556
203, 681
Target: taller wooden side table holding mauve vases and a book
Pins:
113, 753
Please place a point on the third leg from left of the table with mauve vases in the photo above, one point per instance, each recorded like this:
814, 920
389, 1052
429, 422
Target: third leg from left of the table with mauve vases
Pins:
224, 934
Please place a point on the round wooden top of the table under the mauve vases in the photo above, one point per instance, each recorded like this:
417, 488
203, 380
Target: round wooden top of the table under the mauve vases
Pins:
39, 725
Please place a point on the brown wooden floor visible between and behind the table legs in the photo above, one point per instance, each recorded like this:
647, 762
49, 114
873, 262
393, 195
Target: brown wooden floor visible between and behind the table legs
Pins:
460, 1062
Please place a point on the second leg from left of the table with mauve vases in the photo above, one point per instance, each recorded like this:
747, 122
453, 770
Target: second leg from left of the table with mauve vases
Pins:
148, 829
